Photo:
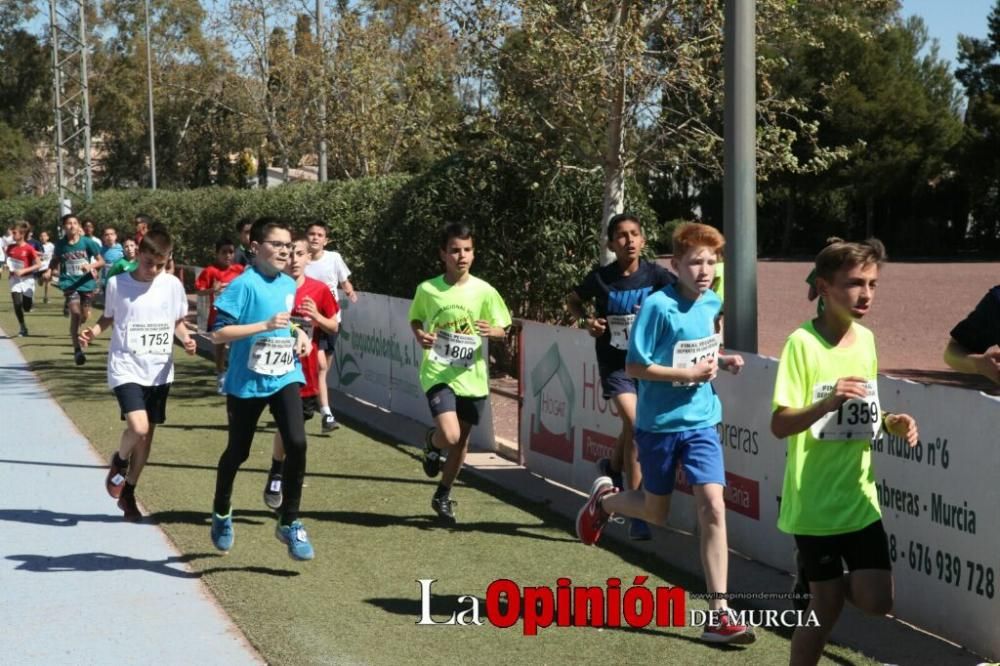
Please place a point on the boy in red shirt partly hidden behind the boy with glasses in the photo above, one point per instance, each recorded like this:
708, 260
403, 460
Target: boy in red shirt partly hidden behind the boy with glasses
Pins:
315, 312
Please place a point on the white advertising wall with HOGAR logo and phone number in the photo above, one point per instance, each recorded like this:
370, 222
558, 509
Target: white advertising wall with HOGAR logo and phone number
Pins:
939, 499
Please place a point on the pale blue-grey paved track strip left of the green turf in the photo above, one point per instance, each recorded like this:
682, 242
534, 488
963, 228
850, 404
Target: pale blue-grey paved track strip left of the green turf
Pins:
80, 585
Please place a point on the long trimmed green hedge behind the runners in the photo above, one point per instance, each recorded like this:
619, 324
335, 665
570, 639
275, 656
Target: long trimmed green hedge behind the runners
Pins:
534, 239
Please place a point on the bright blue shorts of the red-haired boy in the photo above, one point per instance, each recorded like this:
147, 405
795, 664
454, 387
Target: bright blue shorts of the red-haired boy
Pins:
698, 451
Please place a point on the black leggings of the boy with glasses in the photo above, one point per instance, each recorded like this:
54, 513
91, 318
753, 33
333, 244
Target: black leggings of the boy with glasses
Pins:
243, 413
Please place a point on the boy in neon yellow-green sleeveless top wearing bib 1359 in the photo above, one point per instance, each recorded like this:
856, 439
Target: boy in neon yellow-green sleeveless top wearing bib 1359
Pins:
826, 404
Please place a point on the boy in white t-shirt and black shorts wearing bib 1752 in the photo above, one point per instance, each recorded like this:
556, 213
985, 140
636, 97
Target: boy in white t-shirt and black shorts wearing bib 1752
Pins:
146, 309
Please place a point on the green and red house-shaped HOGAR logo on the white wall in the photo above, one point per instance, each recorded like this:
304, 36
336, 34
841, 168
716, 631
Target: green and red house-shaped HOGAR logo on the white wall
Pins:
552, 419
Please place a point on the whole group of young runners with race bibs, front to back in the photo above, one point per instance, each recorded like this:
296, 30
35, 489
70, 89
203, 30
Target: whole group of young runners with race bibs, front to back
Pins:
658, 345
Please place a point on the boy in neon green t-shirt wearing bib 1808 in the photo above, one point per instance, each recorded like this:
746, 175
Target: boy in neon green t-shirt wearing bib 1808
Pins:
448, 316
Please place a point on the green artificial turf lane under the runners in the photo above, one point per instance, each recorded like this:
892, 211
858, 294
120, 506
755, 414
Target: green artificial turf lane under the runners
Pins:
366, 507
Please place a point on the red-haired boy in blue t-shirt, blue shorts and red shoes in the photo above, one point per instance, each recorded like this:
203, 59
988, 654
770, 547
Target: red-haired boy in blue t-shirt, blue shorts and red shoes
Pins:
674, 352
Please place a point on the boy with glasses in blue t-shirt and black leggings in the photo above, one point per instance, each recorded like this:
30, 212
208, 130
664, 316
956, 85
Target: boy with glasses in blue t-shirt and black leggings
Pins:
254, 317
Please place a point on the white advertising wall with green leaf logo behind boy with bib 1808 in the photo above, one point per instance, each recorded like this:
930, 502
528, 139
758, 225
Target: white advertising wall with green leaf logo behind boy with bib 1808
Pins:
377, 360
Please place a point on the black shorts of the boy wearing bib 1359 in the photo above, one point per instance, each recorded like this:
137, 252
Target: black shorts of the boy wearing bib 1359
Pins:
824, 557
